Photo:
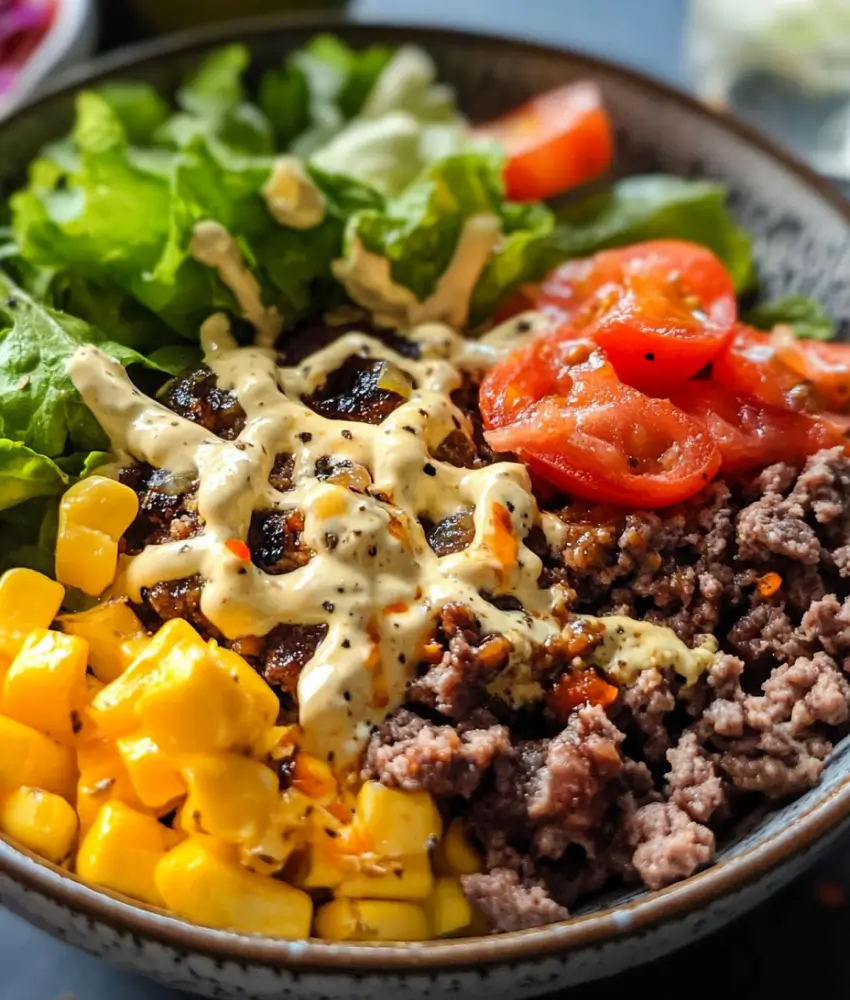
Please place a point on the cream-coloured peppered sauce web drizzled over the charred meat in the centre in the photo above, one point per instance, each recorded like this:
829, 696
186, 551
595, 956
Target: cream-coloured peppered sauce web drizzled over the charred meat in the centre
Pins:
373, 579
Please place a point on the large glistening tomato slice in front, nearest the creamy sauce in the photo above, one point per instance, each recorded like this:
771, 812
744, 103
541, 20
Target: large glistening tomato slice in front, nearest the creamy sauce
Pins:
557, 404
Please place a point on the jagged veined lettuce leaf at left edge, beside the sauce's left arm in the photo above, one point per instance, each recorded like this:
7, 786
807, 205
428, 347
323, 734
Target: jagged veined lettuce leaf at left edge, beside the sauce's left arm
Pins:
39, 405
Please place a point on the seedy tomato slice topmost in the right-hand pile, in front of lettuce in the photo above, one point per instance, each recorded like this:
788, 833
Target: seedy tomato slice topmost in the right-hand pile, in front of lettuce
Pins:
661, 310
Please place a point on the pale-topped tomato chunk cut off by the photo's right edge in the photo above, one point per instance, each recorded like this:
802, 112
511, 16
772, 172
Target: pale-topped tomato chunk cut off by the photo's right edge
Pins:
801, 375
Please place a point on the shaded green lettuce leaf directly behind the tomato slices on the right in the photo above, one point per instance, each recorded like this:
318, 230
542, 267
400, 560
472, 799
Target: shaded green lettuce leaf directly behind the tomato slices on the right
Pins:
659, 206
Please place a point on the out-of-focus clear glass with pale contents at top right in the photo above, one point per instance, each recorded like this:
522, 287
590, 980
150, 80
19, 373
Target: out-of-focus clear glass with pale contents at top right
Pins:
782, 64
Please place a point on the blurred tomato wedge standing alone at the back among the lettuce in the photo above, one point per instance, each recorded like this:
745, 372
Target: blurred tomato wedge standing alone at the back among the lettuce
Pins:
554, 142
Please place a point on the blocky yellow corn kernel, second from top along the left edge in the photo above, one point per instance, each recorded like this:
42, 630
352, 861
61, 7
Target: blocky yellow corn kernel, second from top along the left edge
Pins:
45, 687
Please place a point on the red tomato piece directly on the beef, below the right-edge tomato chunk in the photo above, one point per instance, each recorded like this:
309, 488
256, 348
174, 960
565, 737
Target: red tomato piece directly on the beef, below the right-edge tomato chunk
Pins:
749, 433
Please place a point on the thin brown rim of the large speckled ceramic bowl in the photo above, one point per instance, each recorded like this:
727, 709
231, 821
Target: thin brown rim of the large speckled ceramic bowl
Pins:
648, 910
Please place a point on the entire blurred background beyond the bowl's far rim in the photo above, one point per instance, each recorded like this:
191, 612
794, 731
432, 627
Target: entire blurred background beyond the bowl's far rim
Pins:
782, 64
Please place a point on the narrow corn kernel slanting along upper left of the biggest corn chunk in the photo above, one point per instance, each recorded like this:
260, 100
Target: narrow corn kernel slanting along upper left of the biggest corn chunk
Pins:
114, 708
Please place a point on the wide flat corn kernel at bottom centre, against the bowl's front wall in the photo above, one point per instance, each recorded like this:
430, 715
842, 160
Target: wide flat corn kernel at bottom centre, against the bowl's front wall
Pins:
371, 920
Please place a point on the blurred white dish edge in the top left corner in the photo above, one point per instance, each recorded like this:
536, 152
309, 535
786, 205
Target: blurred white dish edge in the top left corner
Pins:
71, 37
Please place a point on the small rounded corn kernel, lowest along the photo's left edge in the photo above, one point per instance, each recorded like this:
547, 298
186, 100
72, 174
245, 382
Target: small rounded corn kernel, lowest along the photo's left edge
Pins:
41, 821
